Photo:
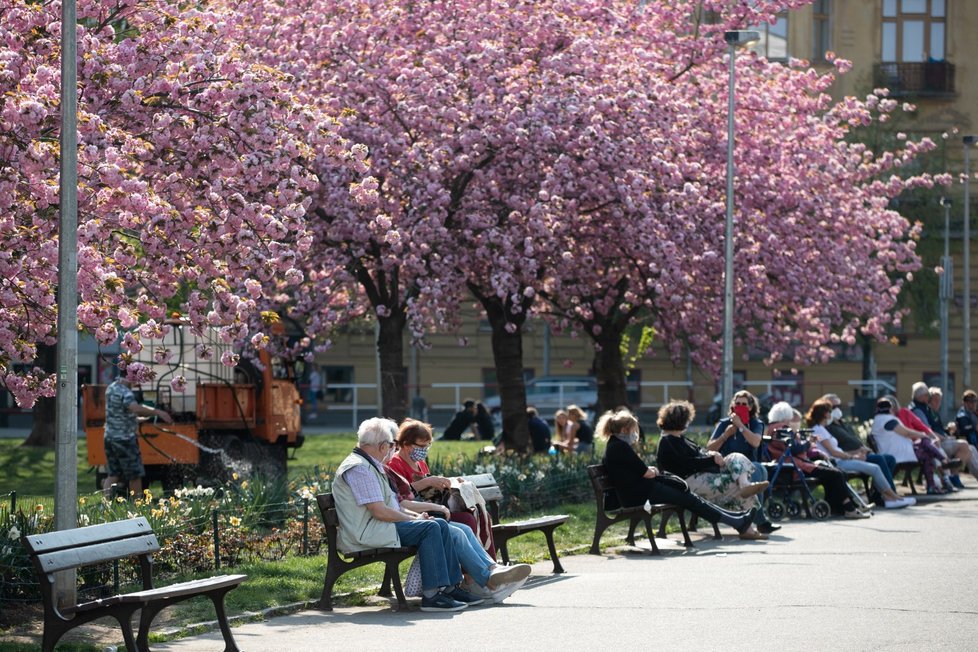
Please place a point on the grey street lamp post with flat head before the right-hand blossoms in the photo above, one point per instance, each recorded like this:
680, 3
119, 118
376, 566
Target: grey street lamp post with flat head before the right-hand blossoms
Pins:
733, 39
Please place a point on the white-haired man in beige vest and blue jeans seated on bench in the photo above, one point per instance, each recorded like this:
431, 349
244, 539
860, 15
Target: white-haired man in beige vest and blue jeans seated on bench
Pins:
371, 516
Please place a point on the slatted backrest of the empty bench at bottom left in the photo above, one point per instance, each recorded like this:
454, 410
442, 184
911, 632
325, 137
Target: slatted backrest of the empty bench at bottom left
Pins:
66, 549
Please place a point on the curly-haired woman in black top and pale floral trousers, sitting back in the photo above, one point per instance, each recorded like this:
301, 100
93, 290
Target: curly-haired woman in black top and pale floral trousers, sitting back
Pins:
724, 480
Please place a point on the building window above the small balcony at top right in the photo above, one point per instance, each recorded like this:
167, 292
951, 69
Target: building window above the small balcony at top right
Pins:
913, 31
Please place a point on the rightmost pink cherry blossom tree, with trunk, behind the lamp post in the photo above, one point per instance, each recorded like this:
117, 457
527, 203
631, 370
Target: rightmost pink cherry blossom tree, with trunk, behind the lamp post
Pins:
820, 257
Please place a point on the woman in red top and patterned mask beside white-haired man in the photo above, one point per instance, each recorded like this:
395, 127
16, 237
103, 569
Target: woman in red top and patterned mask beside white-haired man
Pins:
408, 470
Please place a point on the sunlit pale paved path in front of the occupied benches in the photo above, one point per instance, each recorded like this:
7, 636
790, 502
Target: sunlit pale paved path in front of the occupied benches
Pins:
903, 580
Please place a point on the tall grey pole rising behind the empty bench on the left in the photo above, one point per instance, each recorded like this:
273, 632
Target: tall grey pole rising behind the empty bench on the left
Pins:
66, 402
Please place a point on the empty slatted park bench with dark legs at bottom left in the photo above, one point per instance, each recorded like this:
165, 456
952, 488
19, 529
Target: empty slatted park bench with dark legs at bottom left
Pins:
96, 544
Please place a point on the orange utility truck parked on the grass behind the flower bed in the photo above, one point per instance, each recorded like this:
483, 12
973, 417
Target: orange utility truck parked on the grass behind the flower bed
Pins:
227, 420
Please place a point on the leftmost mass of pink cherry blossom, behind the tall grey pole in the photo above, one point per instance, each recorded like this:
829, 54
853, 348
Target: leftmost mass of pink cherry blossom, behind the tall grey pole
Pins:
193, 177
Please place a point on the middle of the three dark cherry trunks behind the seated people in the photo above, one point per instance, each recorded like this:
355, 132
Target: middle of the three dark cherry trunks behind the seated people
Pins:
507, 353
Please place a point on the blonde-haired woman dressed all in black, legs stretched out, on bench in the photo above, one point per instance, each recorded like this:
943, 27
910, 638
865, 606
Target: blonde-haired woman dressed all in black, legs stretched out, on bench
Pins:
637, 482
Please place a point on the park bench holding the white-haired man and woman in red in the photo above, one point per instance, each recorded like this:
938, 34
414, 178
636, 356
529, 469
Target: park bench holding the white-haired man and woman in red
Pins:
338, 563
